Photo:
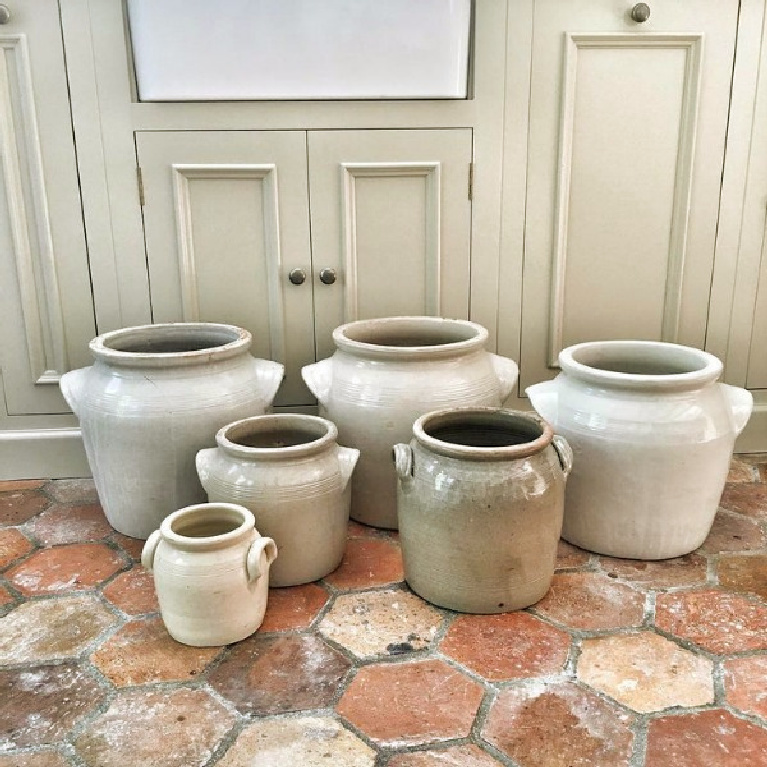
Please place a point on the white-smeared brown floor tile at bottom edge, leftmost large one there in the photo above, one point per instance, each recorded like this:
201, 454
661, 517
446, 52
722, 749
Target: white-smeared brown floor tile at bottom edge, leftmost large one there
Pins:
154, 728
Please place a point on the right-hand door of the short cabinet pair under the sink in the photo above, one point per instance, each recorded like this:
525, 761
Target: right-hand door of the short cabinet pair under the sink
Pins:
390, 214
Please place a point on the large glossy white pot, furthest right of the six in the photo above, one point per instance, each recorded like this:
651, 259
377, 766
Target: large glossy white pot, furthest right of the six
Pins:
653, 434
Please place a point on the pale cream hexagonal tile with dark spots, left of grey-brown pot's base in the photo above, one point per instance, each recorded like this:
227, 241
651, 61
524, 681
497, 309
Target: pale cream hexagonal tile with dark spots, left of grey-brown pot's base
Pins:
381, 623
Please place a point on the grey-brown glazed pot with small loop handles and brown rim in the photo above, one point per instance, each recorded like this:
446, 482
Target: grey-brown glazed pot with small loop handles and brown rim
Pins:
481, 493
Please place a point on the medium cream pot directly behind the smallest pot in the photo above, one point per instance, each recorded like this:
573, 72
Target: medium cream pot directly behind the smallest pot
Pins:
289, 471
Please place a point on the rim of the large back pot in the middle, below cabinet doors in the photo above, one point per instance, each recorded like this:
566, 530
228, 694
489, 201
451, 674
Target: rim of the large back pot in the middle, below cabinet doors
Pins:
476, 337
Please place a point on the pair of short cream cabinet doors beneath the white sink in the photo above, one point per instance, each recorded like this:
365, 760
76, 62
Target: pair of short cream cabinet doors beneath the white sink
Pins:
290, 233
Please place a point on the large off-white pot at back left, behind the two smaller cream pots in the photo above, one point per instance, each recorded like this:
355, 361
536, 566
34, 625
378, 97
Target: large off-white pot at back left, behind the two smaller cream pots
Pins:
155, 395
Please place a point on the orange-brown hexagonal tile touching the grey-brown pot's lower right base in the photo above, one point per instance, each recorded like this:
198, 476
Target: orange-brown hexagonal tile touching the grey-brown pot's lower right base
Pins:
591, 601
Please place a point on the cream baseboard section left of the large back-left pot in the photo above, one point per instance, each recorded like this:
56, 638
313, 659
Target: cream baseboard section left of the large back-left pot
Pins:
42, 454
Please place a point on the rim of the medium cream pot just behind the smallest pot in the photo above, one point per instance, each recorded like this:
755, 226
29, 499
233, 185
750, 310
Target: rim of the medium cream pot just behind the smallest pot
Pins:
272, 422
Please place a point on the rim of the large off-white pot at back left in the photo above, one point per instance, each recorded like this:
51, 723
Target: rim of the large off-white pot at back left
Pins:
232, 341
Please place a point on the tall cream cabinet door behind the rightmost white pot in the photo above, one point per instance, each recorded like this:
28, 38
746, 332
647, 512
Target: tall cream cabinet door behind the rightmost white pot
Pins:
627, 131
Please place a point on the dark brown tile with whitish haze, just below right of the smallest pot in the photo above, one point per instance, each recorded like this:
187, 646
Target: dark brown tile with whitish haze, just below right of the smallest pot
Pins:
274, 675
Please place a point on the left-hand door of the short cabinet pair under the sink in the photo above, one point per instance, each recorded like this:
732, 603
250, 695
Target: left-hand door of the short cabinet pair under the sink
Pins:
226, 220
